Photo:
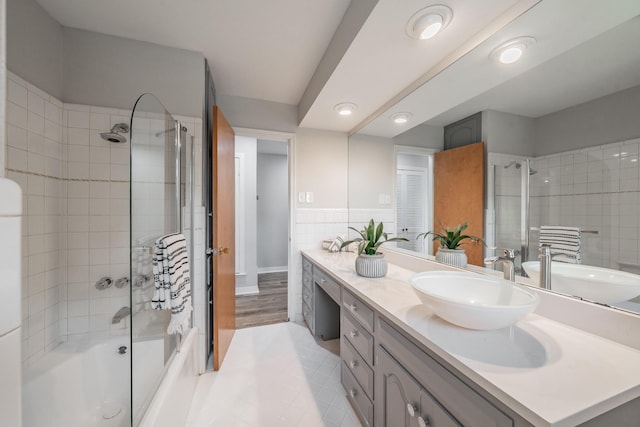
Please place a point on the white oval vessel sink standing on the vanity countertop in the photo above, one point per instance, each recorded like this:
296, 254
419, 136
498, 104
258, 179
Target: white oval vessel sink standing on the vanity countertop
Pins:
474, 301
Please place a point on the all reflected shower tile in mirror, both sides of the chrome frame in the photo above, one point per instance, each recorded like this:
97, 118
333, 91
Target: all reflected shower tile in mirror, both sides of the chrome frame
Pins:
596, 189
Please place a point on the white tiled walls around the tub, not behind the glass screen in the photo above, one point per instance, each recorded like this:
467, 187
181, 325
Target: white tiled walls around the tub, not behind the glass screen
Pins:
76, 210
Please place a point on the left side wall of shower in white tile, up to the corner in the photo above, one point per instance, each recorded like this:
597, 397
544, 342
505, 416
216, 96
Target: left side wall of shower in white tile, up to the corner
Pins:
35, 159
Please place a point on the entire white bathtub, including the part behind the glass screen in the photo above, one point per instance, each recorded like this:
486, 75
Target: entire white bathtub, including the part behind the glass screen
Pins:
88, 385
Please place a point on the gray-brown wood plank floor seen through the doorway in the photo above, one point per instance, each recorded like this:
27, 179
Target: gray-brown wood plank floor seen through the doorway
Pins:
269, 306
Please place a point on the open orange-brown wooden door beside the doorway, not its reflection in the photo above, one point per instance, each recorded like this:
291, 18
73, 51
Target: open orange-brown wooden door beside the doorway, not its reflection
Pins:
223, 238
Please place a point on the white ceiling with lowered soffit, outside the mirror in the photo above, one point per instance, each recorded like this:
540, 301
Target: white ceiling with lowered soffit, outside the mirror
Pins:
270, 50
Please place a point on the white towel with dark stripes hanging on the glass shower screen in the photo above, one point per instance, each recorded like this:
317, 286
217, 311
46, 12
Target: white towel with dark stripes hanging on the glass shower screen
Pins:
172, 281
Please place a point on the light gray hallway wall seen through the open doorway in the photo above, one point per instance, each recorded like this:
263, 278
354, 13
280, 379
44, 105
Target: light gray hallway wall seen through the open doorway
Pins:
273, 210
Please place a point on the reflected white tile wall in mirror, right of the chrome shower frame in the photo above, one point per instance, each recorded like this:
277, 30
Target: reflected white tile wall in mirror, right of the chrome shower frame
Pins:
597, 189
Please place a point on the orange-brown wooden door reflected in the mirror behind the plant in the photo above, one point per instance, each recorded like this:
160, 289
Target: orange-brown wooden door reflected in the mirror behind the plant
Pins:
459, 194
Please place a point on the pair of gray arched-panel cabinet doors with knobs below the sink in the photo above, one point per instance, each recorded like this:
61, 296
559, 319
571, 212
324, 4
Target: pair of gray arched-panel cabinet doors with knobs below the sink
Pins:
401, 401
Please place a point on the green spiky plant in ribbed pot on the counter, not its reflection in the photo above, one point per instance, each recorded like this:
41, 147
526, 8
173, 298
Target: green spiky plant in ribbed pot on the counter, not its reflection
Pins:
371, 263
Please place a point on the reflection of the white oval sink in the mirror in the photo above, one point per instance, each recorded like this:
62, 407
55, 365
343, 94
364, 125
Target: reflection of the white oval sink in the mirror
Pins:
603, 285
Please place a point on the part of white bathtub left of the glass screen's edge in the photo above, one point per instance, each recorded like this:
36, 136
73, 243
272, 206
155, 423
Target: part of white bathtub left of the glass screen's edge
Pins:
79, 384
